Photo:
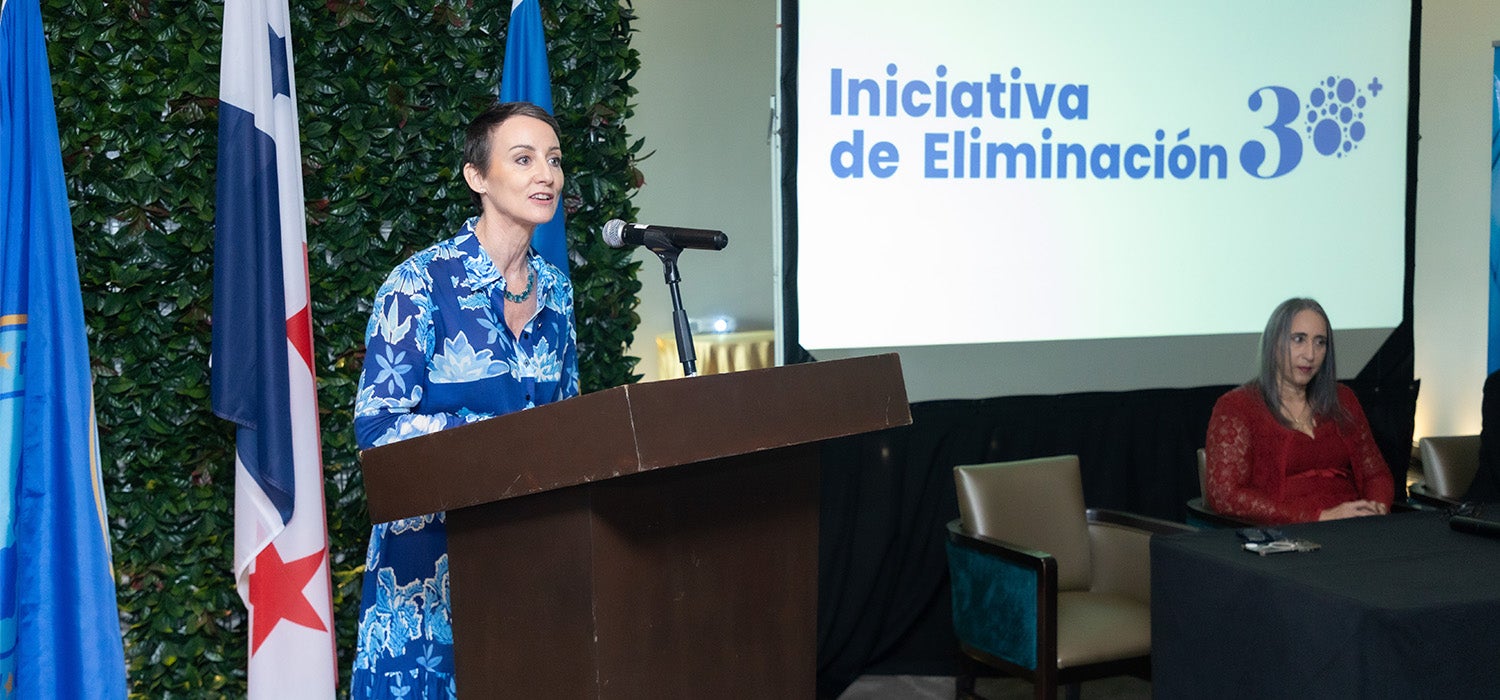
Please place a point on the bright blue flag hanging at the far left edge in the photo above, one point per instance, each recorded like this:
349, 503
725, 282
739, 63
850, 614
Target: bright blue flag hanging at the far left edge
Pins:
59, 618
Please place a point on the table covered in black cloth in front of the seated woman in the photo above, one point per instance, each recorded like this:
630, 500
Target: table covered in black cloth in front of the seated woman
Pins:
1391, 606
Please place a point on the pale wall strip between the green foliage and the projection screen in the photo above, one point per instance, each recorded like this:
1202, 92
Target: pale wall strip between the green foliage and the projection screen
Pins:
706, 83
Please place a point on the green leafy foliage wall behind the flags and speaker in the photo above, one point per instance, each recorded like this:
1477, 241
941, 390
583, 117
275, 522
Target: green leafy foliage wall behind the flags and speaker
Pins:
385, 89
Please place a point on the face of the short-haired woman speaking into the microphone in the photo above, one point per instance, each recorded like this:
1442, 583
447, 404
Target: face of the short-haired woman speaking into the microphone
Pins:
524, 176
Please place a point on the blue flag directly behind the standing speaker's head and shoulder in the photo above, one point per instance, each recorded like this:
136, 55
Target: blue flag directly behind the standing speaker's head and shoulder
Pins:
524, 79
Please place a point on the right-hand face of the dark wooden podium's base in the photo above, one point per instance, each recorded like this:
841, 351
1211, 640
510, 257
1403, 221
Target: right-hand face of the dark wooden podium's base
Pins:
707, 581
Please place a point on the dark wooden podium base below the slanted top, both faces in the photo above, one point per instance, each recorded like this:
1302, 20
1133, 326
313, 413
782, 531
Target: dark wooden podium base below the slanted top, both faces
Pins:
691, 582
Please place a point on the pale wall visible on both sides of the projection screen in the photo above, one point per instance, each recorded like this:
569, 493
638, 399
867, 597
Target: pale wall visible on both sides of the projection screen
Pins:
709, 73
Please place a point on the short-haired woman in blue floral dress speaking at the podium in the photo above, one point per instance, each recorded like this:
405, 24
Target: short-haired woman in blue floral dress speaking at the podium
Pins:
473, 328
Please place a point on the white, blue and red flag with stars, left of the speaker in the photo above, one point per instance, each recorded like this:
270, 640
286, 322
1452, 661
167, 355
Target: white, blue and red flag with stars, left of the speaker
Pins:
263, 377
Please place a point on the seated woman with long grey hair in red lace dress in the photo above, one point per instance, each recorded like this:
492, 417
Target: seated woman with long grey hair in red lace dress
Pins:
1294, 446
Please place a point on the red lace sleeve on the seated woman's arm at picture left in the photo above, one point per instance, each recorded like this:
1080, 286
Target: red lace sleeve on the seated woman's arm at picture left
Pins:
1235, 459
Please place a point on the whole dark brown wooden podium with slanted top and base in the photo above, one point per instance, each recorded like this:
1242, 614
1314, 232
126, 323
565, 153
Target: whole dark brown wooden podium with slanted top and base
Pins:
647, 542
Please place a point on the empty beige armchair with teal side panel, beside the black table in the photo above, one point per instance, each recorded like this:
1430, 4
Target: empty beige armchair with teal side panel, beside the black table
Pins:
1043, 588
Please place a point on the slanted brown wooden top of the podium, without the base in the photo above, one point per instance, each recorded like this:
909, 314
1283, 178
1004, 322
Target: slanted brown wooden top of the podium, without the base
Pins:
634, 429
